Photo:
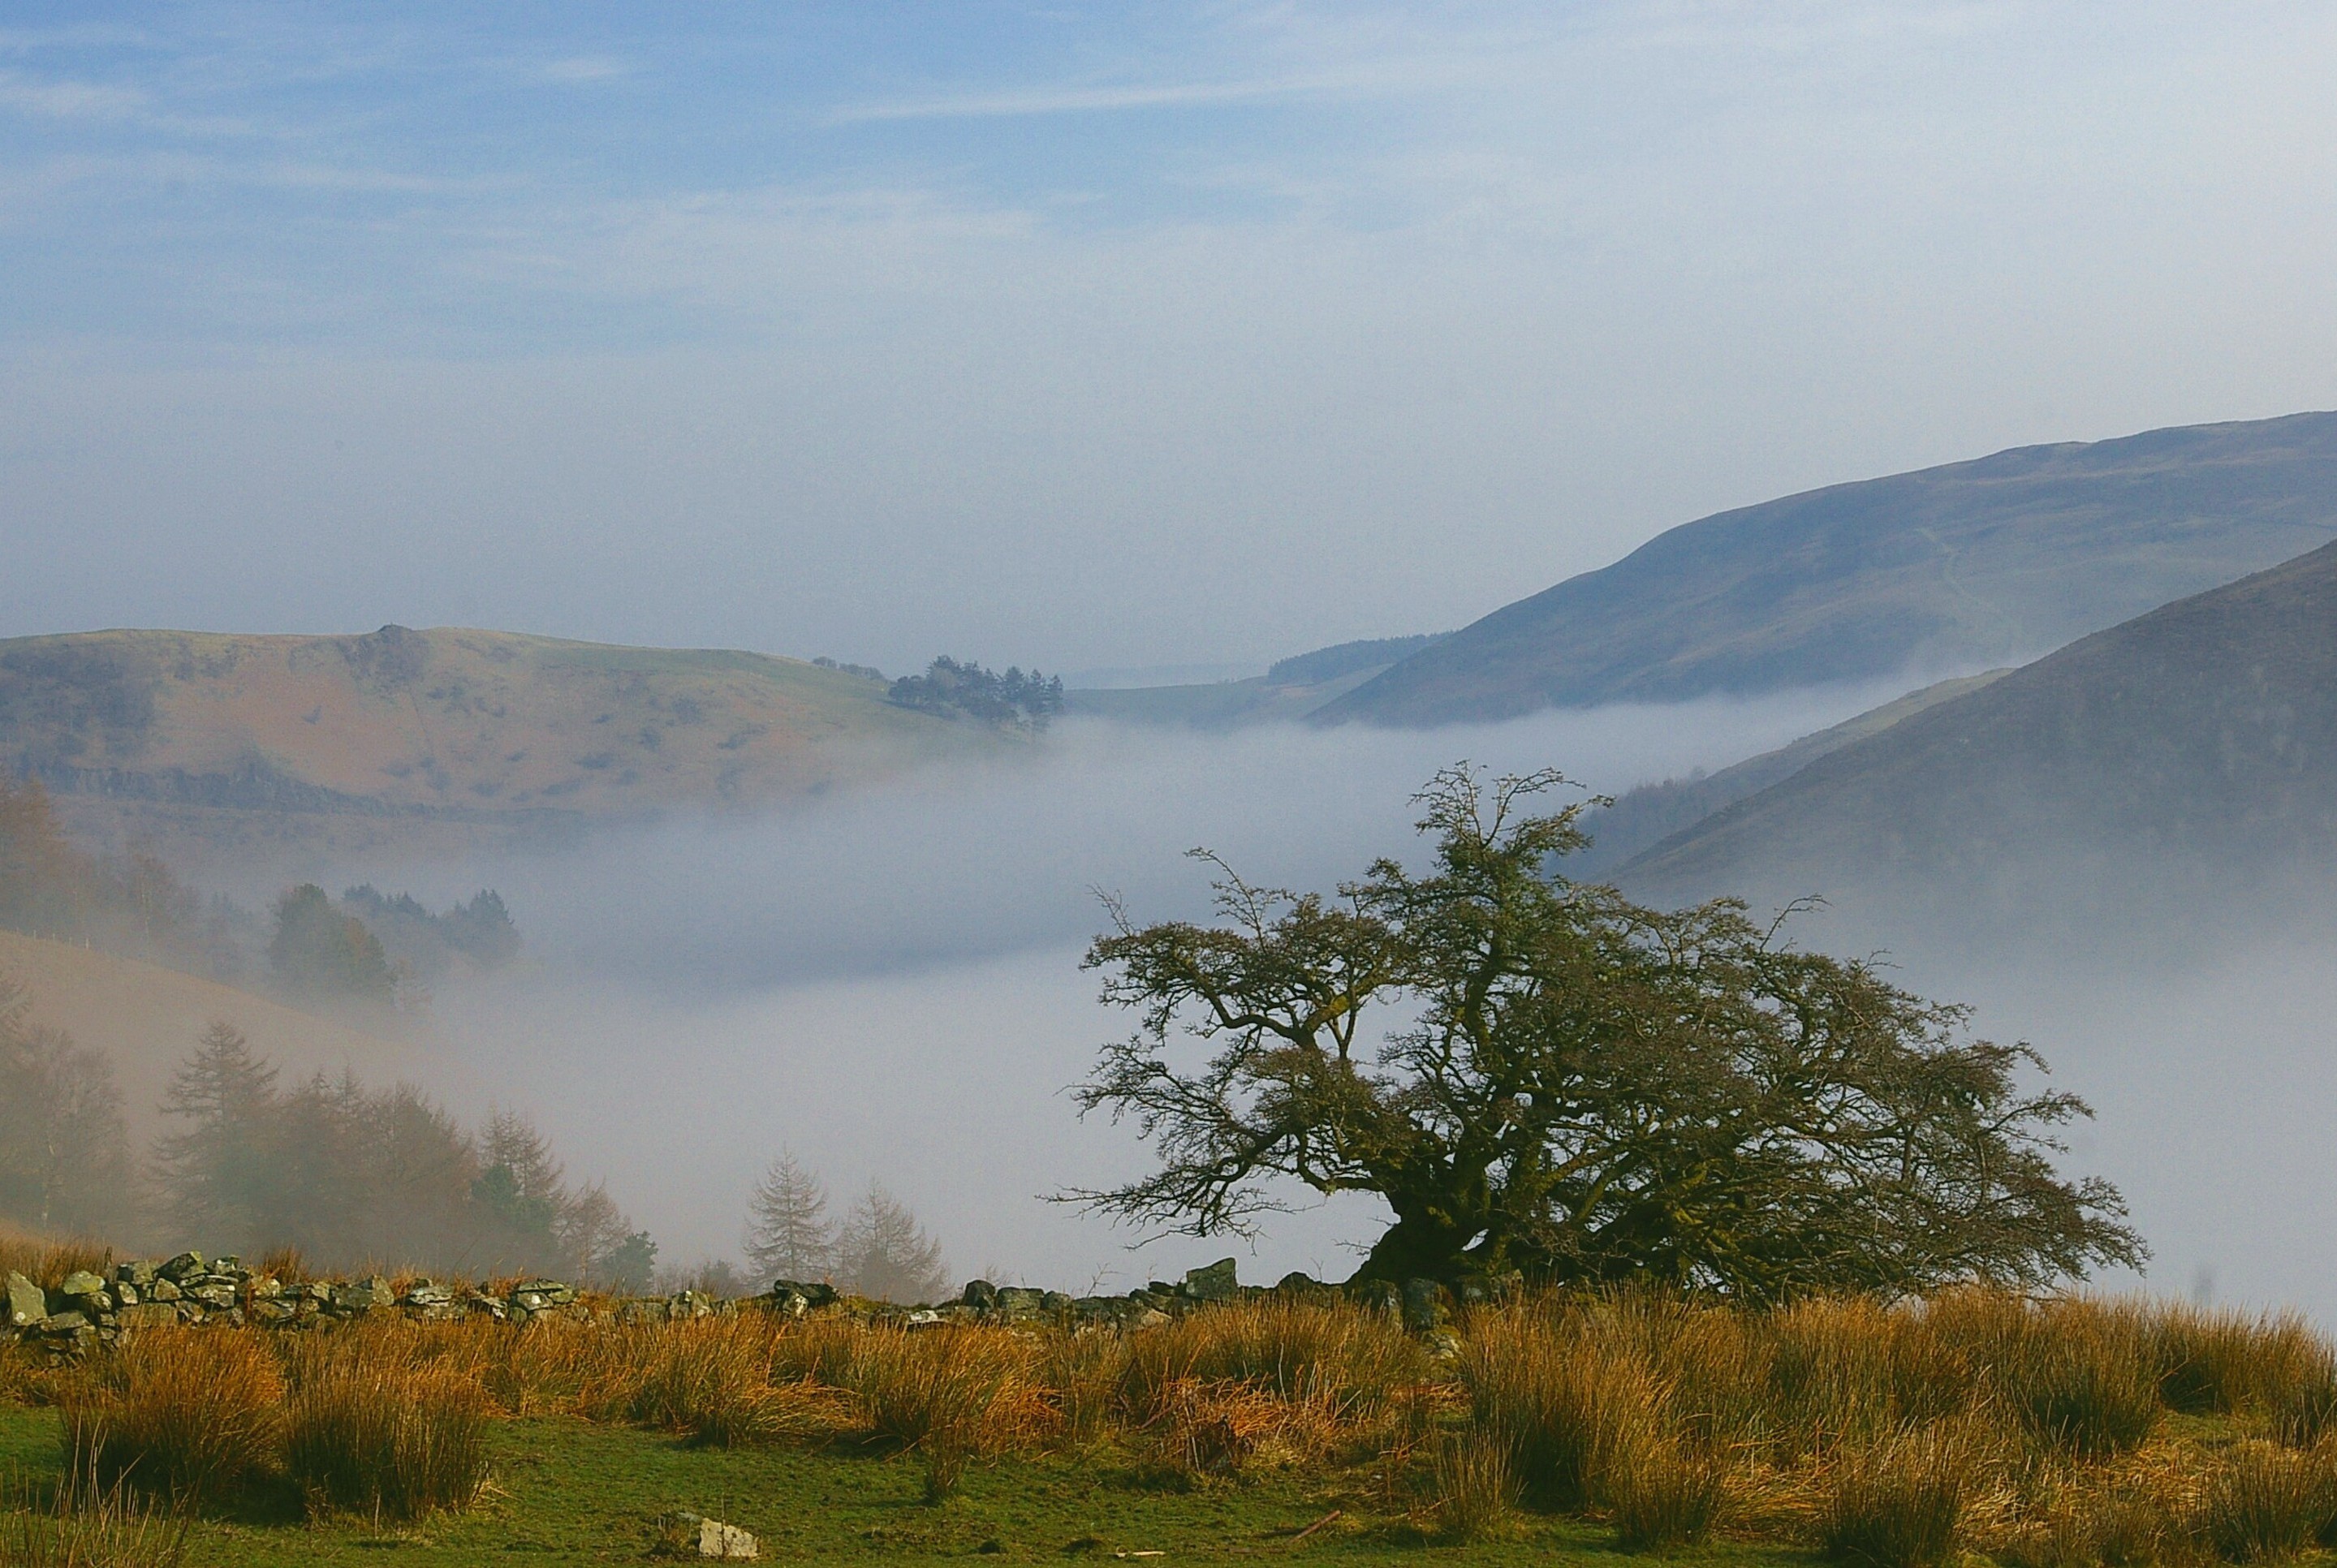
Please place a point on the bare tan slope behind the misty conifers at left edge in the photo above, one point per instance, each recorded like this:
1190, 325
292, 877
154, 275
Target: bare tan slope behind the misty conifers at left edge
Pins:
146, 1020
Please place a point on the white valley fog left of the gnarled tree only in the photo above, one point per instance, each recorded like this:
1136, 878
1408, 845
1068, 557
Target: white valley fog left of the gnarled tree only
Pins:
889, 983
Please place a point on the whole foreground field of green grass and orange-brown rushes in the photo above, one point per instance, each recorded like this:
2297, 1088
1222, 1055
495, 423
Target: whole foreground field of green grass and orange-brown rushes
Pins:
2060, 1434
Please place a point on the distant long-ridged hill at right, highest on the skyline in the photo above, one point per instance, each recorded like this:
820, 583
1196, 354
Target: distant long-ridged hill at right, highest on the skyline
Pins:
1948, 569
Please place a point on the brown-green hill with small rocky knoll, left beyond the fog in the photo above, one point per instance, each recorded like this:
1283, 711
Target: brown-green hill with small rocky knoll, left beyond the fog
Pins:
193, 733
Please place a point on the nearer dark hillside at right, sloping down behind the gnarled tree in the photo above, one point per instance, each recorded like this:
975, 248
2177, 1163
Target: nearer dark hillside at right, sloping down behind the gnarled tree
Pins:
2196, 744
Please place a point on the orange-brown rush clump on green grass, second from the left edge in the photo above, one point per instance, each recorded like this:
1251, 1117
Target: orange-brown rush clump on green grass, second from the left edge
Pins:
375, 1429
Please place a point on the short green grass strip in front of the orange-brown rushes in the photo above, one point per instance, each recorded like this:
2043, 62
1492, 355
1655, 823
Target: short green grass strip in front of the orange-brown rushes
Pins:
574, 1492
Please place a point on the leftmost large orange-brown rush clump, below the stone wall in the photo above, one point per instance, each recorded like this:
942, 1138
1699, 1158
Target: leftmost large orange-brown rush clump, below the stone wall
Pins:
181, 1413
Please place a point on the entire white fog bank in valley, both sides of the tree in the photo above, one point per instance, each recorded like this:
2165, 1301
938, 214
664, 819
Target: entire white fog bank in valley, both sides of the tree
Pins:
889, 985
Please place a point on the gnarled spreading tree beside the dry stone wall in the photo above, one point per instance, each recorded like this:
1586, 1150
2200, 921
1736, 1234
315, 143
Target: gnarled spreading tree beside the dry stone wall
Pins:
1546, 1078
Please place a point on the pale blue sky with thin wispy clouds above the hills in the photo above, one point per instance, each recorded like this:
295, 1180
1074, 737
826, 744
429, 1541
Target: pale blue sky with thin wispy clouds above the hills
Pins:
1088, 335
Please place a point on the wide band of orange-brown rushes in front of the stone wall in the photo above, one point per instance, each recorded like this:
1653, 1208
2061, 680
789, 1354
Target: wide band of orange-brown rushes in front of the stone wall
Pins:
2046, 1434
